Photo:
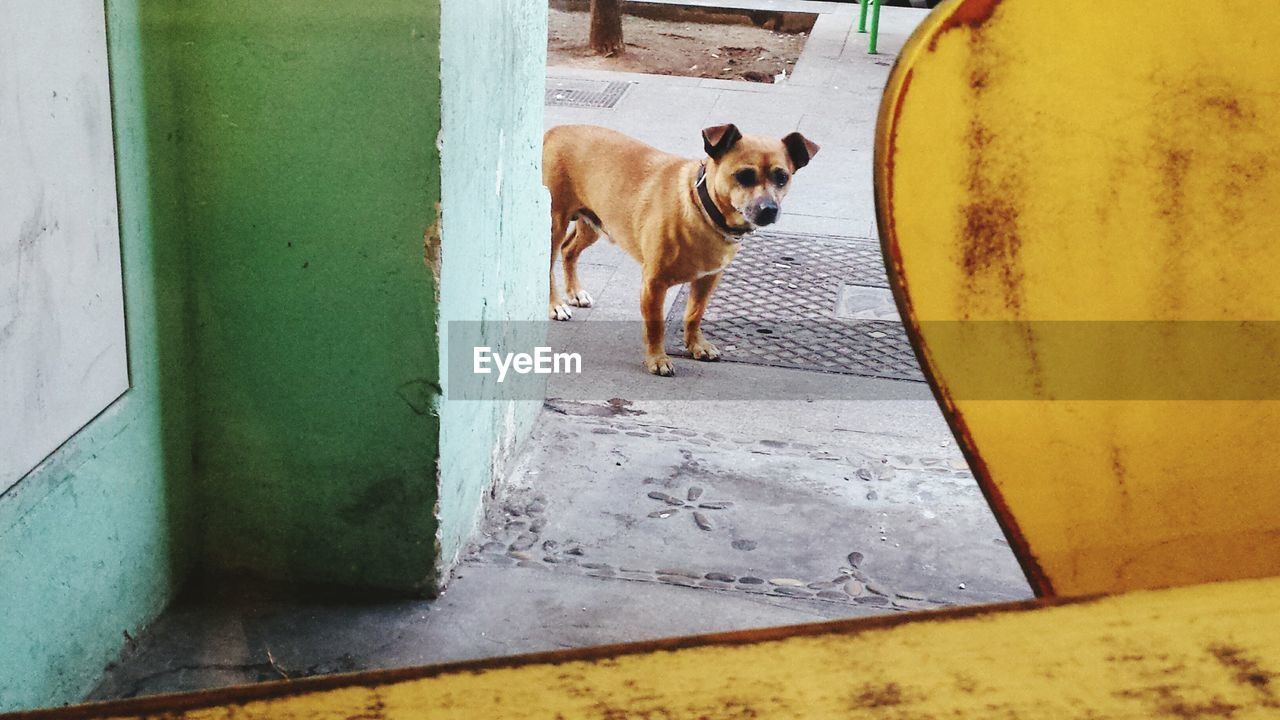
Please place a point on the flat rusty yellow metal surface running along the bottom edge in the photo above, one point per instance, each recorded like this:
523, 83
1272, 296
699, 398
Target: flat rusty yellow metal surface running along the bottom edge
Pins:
1206, 651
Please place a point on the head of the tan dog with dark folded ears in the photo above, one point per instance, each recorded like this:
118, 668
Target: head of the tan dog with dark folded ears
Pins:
752, 174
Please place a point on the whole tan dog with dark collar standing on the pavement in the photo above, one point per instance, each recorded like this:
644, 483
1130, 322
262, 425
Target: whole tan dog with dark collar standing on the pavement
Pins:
682, 220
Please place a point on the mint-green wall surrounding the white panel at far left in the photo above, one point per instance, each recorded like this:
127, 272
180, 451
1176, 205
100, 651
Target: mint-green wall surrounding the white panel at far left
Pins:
95, 543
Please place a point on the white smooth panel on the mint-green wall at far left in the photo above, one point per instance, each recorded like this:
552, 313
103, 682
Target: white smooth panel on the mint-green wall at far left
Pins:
62, 313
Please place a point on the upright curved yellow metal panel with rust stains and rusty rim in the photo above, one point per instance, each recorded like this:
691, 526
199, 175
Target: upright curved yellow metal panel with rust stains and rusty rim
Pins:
1081, 208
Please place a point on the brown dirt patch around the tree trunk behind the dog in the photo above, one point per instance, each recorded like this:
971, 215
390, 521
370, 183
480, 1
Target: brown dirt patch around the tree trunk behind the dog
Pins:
675, 48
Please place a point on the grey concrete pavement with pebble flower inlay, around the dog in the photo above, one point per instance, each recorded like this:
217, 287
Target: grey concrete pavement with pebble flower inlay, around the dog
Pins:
650, 517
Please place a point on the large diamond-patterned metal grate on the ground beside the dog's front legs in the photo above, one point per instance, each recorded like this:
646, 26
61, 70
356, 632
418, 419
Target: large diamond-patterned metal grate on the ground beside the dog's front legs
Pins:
783, 303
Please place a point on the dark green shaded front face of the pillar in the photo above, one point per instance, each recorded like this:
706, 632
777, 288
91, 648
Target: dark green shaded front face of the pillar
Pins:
309, 177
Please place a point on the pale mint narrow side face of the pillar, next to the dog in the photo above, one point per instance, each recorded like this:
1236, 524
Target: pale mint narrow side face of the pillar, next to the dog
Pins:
497, 224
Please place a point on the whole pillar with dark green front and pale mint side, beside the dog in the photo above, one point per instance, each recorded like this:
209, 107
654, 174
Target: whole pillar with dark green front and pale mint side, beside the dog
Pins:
356, 177
